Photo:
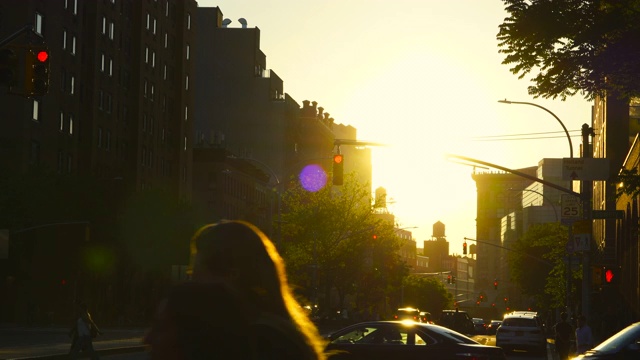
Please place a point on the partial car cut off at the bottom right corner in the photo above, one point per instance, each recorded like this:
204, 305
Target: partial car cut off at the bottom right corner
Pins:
625, 344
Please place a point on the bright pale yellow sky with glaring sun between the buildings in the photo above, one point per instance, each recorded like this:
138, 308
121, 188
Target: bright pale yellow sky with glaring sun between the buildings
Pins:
423, 76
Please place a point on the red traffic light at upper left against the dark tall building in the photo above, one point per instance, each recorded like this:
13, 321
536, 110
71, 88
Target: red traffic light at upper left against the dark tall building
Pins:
36, 71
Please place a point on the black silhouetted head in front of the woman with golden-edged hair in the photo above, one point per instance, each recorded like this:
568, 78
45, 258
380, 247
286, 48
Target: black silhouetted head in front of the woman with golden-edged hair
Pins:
201, 321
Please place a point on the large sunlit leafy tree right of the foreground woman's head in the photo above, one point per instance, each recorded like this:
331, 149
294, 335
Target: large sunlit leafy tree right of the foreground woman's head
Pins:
329, 244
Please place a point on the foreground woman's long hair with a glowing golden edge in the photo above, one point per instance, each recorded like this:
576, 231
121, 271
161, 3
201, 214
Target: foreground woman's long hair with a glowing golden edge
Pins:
242, 253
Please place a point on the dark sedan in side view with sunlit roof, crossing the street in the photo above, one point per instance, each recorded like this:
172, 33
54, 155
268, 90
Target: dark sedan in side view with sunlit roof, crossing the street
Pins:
401, 340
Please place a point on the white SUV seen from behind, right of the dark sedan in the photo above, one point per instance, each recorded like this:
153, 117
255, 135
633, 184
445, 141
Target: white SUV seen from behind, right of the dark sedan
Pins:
521, 332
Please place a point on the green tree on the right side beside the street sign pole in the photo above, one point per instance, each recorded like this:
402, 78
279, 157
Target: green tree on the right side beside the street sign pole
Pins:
540, 251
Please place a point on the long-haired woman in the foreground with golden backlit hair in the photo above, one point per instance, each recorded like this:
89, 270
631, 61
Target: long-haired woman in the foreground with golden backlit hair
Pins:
242, 255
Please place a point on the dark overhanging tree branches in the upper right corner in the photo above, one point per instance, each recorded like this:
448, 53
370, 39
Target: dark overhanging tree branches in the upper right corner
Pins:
586, 46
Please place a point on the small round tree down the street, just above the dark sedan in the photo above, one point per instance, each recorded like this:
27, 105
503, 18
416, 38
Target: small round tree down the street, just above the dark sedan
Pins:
427, 294
